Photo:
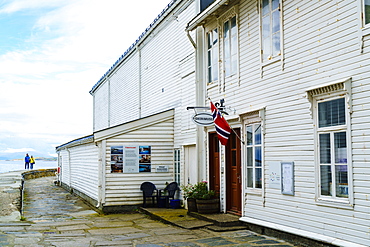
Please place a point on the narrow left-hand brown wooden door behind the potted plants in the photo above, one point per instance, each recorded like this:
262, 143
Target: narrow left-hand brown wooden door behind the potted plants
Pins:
214, 163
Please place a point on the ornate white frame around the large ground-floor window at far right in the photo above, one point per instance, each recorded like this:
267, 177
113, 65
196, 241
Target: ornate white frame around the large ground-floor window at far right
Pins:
316, 95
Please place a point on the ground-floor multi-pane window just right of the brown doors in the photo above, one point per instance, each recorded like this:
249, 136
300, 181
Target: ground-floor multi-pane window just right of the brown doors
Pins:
254, 155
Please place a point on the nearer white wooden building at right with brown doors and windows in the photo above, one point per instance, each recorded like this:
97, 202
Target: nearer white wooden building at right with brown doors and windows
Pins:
295, 79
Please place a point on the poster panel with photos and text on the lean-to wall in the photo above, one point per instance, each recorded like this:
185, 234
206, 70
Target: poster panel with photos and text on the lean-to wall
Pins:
131, 159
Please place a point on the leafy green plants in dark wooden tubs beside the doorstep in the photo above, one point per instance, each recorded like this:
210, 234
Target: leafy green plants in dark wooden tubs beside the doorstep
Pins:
205, 199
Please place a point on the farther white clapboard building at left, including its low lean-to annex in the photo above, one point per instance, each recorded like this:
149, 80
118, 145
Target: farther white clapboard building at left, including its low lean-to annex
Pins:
139, 107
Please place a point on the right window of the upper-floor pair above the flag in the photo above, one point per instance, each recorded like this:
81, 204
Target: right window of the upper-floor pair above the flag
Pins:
230, 40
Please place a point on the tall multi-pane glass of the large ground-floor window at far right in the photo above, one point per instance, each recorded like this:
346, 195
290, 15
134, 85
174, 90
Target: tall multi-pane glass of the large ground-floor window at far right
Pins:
332, 142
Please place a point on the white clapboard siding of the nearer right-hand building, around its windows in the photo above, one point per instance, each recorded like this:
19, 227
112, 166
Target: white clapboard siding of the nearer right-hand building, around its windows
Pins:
321, 45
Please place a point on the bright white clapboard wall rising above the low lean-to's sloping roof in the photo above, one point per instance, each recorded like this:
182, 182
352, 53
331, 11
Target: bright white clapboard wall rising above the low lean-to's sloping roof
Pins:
157, 75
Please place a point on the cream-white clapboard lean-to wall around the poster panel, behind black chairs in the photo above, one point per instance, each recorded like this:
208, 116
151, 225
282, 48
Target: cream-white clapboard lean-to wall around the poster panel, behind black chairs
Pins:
124, 189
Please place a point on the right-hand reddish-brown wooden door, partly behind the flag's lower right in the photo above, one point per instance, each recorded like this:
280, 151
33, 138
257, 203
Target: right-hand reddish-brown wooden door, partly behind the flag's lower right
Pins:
233, 174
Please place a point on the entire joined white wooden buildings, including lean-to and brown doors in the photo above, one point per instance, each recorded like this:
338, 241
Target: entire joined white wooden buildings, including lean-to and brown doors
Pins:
293, 77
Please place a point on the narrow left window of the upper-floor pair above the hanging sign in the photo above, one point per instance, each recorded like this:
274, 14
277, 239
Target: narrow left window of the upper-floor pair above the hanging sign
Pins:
212, 55
